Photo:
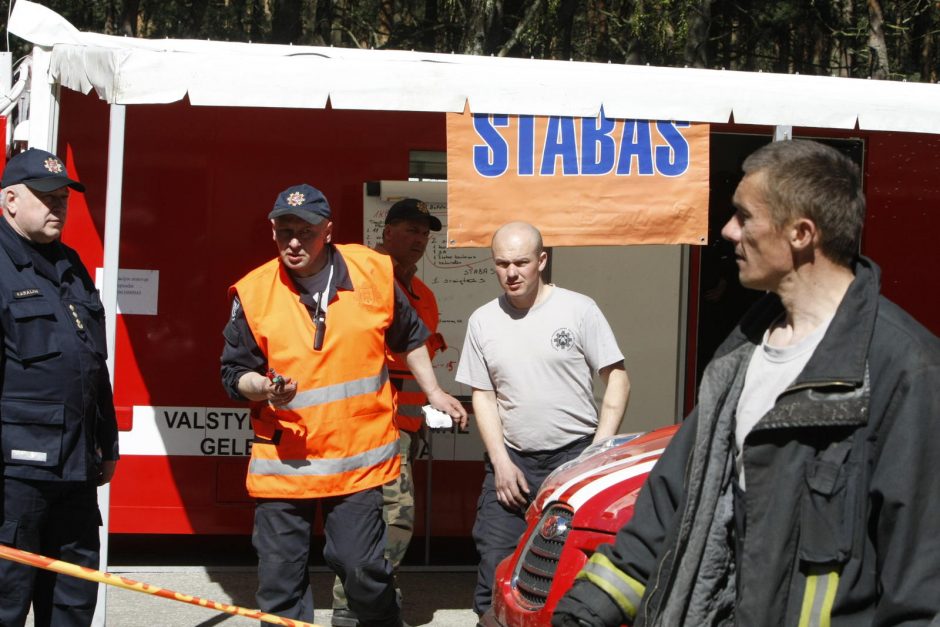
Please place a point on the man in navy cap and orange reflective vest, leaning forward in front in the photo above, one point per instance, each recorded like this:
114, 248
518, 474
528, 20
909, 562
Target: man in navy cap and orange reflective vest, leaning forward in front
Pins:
306, 345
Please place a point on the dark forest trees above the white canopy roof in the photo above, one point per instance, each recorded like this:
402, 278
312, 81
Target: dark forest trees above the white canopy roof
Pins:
888, 39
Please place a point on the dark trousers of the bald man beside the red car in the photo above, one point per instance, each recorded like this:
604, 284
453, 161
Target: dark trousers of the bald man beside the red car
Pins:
497, 529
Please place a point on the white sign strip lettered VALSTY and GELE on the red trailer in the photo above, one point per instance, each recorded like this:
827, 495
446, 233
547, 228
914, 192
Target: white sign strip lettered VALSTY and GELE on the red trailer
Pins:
199, 431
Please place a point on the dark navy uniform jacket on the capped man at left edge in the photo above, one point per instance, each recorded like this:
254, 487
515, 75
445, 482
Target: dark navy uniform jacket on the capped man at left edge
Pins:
56, 409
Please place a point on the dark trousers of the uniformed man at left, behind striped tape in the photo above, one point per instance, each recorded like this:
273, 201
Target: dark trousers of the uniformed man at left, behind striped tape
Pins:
58, 519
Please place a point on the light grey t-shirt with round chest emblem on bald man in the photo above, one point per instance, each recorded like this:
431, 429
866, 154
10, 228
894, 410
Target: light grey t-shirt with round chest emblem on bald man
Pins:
540, 362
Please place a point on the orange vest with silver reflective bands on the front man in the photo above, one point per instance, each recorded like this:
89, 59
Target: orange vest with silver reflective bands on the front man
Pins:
336, 436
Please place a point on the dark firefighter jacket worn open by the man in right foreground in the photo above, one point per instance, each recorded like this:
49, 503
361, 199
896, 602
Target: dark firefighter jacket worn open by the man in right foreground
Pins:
872, 514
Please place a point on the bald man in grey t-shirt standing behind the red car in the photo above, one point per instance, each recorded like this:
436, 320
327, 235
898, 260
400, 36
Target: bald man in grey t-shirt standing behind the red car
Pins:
530, 356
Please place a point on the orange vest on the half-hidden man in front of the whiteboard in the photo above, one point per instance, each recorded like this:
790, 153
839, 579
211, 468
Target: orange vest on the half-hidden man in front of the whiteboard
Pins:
409, 397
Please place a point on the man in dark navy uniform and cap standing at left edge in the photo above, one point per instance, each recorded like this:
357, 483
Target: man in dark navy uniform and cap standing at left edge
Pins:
57, 419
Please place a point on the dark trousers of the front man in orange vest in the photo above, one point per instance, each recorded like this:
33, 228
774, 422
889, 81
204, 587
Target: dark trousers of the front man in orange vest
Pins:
355, 551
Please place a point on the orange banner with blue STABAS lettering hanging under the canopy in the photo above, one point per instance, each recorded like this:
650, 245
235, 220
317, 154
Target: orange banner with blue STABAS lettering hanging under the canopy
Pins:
581, 181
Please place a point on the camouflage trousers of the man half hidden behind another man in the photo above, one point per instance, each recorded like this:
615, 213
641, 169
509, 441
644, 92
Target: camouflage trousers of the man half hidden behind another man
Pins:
399, 513
